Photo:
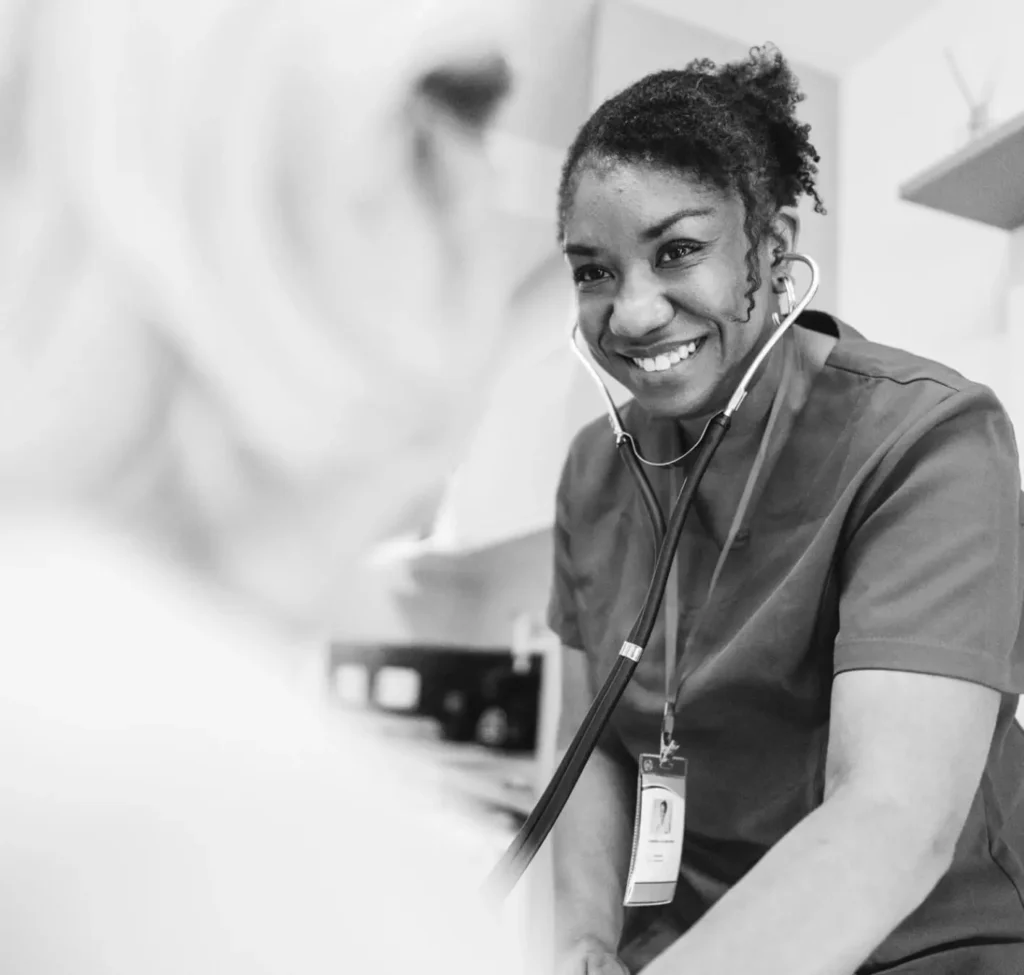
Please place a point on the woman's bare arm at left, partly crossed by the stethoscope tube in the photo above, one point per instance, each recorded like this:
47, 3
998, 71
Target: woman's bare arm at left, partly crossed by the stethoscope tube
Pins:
593, 837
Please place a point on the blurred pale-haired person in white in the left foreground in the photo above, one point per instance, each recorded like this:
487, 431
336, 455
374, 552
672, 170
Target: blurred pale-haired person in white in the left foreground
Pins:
243, 285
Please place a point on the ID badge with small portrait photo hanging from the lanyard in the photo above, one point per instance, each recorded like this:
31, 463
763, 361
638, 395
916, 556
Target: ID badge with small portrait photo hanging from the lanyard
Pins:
658, 832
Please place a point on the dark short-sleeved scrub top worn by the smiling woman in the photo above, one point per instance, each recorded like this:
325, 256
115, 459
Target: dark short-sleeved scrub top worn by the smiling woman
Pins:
887, 536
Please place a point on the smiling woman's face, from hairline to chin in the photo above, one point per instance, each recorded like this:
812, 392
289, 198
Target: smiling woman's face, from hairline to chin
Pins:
661, 272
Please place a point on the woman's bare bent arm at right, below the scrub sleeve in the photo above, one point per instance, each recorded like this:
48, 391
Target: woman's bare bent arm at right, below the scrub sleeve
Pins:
906, 756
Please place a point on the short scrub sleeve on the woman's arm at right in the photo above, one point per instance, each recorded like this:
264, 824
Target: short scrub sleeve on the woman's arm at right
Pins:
932, 577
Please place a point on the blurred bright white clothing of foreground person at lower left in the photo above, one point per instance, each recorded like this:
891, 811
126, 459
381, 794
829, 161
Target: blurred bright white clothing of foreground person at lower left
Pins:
170, 807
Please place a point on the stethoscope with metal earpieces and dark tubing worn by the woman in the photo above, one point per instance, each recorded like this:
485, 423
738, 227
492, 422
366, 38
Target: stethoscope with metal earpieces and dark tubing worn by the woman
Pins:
542, 819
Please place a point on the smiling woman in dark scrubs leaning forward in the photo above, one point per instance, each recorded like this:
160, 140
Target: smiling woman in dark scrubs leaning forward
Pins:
846, 612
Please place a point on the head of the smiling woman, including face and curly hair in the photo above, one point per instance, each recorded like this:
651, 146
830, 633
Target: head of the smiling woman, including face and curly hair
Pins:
647, 201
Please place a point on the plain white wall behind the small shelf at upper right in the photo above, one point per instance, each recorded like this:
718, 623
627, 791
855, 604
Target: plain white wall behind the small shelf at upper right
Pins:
937, 285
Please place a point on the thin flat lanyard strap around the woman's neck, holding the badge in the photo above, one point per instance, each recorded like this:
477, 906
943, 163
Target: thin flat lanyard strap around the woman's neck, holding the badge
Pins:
747, 500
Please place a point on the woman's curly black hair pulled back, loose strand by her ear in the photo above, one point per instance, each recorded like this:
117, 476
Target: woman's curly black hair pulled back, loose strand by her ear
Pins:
733, 126
